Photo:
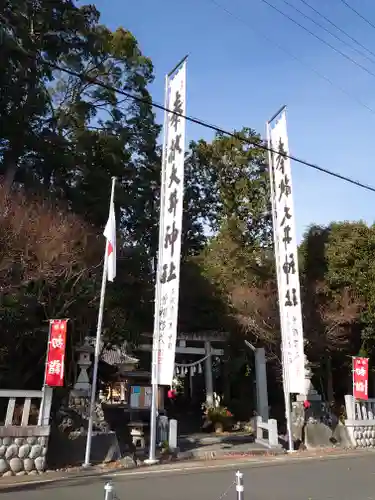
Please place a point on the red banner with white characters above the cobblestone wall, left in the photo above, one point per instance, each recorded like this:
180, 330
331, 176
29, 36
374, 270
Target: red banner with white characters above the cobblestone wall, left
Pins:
54, 376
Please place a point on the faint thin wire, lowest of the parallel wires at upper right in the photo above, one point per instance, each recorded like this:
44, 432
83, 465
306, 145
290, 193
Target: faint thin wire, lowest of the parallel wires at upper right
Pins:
293, 56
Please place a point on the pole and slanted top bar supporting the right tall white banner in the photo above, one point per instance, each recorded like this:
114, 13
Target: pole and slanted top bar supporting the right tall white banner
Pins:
287, 402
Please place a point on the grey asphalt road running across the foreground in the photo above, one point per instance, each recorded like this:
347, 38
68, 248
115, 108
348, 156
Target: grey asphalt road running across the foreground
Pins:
349, 478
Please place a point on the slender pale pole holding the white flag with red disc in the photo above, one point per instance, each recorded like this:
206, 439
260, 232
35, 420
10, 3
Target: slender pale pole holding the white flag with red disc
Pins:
97, 343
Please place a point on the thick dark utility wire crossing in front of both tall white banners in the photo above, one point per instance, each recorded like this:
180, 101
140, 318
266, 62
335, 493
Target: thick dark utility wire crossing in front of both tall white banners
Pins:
257, 144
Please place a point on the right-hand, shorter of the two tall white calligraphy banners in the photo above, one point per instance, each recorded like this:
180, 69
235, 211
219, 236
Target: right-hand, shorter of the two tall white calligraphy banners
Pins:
286, 257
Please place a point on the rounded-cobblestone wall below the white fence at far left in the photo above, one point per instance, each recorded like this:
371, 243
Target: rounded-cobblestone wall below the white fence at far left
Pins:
23, 450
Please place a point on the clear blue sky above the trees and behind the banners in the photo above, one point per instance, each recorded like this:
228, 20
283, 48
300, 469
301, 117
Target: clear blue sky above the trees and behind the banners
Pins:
236, 78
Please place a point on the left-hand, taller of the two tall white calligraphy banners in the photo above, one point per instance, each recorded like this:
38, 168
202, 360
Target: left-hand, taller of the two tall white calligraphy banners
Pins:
166, 310
